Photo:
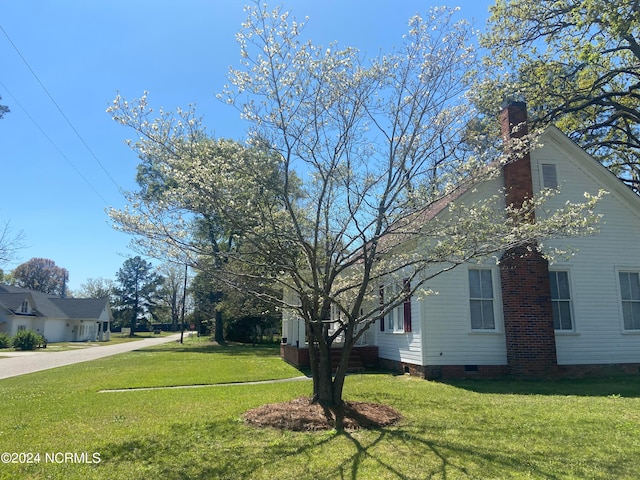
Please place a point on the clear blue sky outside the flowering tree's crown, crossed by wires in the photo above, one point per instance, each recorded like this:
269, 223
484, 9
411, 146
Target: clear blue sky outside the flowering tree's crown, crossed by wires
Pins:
61, 172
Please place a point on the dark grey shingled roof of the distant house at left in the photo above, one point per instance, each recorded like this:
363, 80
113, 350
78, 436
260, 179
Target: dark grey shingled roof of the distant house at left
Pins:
44, 305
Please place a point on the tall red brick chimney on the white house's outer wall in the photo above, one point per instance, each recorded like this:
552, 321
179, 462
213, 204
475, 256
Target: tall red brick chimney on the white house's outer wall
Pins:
524, 273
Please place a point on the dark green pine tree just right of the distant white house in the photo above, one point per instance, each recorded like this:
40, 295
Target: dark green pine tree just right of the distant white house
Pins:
137, 290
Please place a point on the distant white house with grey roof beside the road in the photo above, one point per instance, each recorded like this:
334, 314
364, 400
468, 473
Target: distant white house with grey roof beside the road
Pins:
57, 319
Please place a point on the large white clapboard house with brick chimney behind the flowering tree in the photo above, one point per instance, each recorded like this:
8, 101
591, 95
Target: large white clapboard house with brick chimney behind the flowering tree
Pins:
522, 316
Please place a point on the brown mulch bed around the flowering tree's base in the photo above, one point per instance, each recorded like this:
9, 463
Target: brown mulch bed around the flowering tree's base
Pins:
302, 414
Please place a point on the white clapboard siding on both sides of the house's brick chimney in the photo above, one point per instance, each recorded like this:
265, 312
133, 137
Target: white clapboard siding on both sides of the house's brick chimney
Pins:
598, 338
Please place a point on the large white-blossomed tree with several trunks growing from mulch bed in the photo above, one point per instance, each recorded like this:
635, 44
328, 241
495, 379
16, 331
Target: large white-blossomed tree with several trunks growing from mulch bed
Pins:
377, 144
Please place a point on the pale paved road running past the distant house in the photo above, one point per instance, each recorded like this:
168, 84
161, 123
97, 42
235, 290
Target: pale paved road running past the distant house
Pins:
20, 365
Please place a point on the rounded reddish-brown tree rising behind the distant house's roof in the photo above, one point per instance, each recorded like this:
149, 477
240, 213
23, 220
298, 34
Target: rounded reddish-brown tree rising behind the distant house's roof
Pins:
43, 275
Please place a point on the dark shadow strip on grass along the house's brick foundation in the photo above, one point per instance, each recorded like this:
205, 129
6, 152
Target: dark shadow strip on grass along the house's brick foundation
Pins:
623, 385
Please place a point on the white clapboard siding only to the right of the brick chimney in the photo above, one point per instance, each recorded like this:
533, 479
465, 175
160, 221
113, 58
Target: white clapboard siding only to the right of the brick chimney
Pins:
598, 336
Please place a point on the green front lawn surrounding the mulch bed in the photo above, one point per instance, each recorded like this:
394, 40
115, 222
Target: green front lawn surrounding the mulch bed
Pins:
465, 429
